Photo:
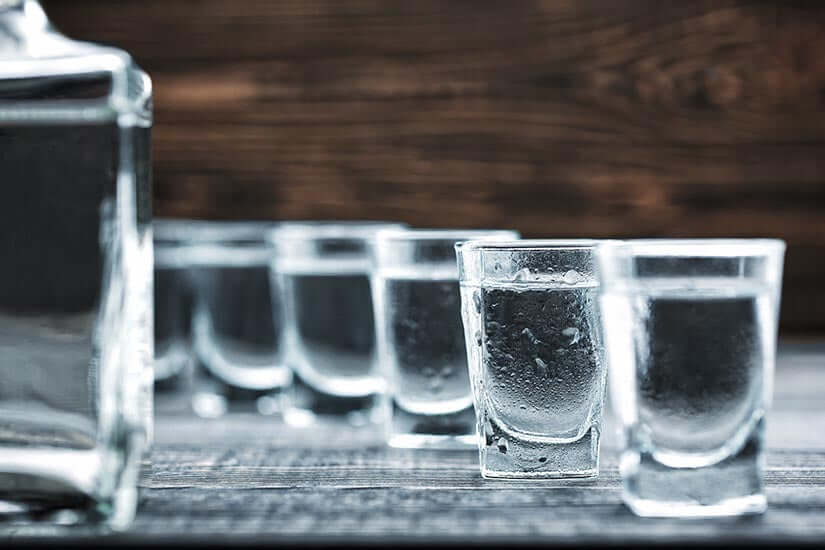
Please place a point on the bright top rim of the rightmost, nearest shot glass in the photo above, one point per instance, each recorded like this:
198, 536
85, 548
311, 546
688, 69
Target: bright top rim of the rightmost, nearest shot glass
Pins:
698, 248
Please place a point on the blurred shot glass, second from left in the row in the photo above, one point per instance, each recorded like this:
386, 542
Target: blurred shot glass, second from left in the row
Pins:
236, 322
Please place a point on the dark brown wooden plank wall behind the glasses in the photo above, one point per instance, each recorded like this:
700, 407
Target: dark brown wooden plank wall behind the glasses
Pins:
558, 117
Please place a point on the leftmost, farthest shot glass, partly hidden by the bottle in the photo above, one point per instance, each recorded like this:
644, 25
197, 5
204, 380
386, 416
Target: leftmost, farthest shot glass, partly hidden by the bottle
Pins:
173, 297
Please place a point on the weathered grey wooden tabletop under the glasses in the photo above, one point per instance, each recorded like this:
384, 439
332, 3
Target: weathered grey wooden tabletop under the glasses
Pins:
250, 479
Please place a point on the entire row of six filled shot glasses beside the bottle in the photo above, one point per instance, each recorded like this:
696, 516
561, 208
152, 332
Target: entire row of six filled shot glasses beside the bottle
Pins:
452, 339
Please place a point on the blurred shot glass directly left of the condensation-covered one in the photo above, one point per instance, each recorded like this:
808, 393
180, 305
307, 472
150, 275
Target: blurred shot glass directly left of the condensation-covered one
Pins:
420, 336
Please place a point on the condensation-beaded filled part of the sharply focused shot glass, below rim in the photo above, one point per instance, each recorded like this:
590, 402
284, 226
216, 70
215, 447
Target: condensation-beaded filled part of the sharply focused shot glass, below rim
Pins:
541, 382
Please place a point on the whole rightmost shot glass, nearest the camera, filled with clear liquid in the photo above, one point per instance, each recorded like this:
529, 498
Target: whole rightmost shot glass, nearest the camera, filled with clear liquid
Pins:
690, 328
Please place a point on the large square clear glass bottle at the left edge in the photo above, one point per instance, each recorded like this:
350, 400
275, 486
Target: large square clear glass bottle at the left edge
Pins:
75, 274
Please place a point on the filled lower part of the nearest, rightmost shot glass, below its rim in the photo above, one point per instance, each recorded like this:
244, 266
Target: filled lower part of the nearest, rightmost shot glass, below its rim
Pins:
699, 376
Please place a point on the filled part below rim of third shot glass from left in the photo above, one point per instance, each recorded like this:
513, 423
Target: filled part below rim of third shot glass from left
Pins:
330, 333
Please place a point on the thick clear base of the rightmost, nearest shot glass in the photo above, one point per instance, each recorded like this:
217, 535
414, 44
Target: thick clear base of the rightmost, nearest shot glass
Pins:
731, 487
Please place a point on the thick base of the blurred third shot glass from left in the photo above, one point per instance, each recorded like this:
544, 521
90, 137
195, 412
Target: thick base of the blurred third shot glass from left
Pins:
305, 406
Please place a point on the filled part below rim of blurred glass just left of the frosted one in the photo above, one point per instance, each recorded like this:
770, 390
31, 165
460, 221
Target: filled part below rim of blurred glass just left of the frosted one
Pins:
425, 352
